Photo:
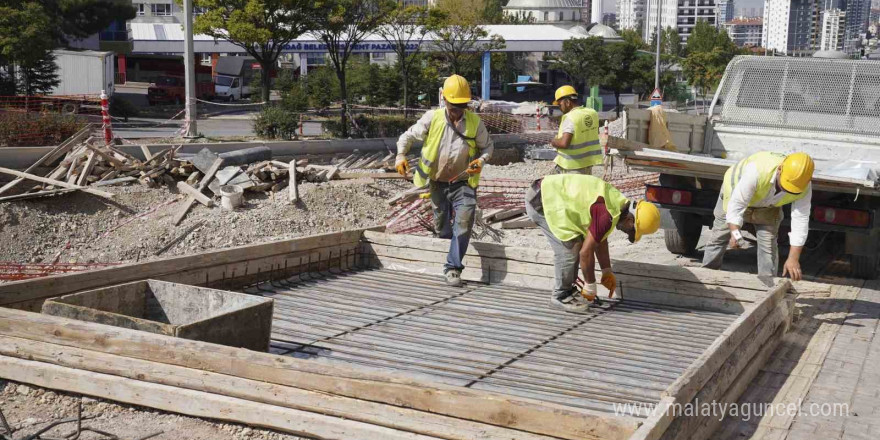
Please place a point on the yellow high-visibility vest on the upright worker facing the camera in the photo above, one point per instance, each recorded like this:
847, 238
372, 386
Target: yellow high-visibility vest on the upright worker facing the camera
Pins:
427, 167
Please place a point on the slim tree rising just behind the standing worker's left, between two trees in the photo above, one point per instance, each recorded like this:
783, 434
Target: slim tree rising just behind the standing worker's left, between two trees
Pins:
405, 30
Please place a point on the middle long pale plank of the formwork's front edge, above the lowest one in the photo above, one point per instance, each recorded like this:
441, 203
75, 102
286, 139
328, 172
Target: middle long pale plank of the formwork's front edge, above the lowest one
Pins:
352, 409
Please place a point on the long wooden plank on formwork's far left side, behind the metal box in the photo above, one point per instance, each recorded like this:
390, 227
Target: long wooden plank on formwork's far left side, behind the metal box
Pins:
166, 269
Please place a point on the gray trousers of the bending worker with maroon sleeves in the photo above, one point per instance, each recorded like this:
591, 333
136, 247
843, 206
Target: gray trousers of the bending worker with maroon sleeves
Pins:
566, 254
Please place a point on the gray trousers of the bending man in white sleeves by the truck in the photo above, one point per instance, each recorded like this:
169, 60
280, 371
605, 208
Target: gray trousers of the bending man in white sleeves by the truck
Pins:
766, 222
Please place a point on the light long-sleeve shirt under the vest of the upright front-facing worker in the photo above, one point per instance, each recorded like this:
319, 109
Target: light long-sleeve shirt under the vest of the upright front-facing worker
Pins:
453, 157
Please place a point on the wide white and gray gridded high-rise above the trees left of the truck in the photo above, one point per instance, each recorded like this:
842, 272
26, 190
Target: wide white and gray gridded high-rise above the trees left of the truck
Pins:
679, 14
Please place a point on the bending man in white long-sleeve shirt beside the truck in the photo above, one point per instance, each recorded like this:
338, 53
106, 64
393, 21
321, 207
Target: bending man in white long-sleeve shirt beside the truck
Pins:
754, 191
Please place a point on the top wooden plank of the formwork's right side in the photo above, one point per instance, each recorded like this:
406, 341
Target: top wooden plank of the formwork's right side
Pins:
702, 369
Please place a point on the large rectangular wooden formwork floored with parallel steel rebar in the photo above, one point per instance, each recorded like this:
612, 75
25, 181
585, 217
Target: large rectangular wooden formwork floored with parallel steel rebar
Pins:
368, 342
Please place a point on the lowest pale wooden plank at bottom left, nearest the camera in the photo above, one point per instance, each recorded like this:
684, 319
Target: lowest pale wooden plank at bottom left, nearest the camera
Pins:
192, 403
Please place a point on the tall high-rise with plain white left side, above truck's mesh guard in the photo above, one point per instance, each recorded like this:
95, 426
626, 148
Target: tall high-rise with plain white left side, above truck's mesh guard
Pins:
789, 26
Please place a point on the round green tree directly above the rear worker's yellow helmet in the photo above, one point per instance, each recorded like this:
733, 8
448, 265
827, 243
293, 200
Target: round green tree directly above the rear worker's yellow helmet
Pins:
583, 60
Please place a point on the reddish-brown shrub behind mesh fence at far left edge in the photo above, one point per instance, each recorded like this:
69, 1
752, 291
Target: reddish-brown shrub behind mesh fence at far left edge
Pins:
37, 129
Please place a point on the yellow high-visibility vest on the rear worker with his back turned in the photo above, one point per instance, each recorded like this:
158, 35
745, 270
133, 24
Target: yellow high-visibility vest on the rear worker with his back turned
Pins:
584, 150
